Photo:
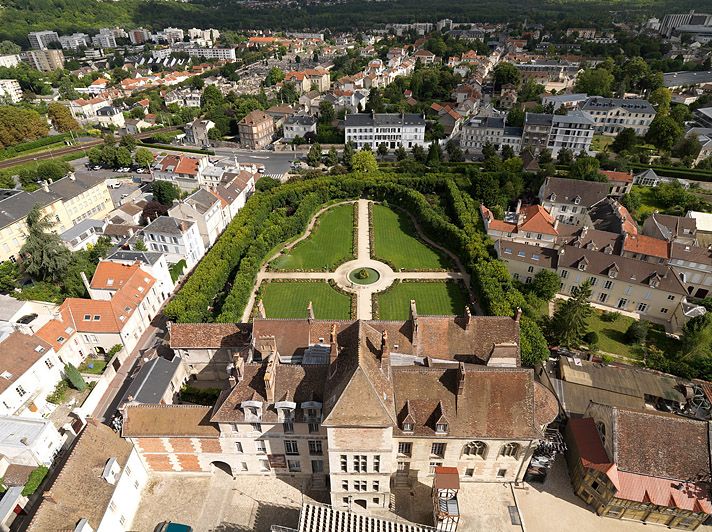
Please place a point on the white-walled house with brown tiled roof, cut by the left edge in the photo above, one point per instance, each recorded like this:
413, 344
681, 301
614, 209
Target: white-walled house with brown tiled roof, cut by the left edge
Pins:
30, 372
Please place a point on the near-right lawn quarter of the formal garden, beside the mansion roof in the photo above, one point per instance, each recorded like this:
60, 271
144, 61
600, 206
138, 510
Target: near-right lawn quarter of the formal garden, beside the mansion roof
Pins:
431, 298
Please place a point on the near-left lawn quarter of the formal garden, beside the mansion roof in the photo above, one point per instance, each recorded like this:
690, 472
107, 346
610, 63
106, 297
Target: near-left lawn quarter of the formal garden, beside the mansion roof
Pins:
290, 300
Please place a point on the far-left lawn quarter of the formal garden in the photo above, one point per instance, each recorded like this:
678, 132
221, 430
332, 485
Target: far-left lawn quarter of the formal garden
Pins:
330, 244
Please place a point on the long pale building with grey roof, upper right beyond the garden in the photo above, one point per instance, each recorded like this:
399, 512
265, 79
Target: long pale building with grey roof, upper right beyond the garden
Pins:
613, 115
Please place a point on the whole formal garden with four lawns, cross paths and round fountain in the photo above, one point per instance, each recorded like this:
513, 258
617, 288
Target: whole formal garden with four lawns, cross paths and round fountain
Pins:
334, 266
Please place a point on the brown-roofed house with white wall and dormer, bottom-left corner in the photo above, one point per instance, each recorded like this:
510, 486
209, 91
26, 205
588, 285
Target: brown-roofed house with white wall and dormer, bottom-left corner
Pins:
98, 488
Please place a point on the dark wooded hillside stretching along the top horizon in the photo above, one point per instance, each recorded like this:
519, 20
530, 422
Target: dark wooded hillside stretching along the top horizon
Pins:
18, 17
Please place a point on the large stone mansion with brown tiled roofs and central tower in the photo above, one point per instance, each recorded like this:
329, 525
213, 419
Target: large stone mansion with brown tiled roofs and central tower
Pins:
364, 404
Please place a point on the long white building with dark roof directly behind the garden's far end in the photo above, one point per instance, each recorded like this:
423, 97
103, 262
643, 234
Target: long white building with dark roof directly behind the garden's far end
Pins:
392, 129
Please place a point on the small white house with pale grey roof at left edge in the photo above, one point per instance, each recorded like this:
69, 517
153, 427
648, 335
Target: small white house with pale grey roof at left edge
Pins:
29, 441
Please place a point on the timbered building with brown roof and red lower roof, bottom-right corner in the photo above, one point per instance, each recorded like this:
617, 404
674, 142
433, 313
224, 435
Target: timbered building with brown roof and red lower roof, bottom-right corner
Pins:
623, 464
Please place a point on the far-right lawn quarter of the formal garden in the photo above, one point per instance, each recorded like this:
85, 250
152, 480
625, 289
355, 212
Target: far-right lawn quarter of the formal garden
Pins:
396, 242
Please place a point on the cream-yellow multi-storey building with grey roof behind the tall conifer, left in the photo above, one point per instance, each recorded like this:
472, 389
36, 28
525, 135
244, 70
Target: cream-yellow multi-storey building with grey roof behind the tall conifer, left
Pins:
65, 202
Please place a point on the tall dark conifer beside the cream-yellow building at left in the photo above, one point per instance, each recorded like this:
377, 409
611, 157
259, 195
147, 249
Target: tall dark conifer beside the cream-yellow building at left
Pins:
45, 257
